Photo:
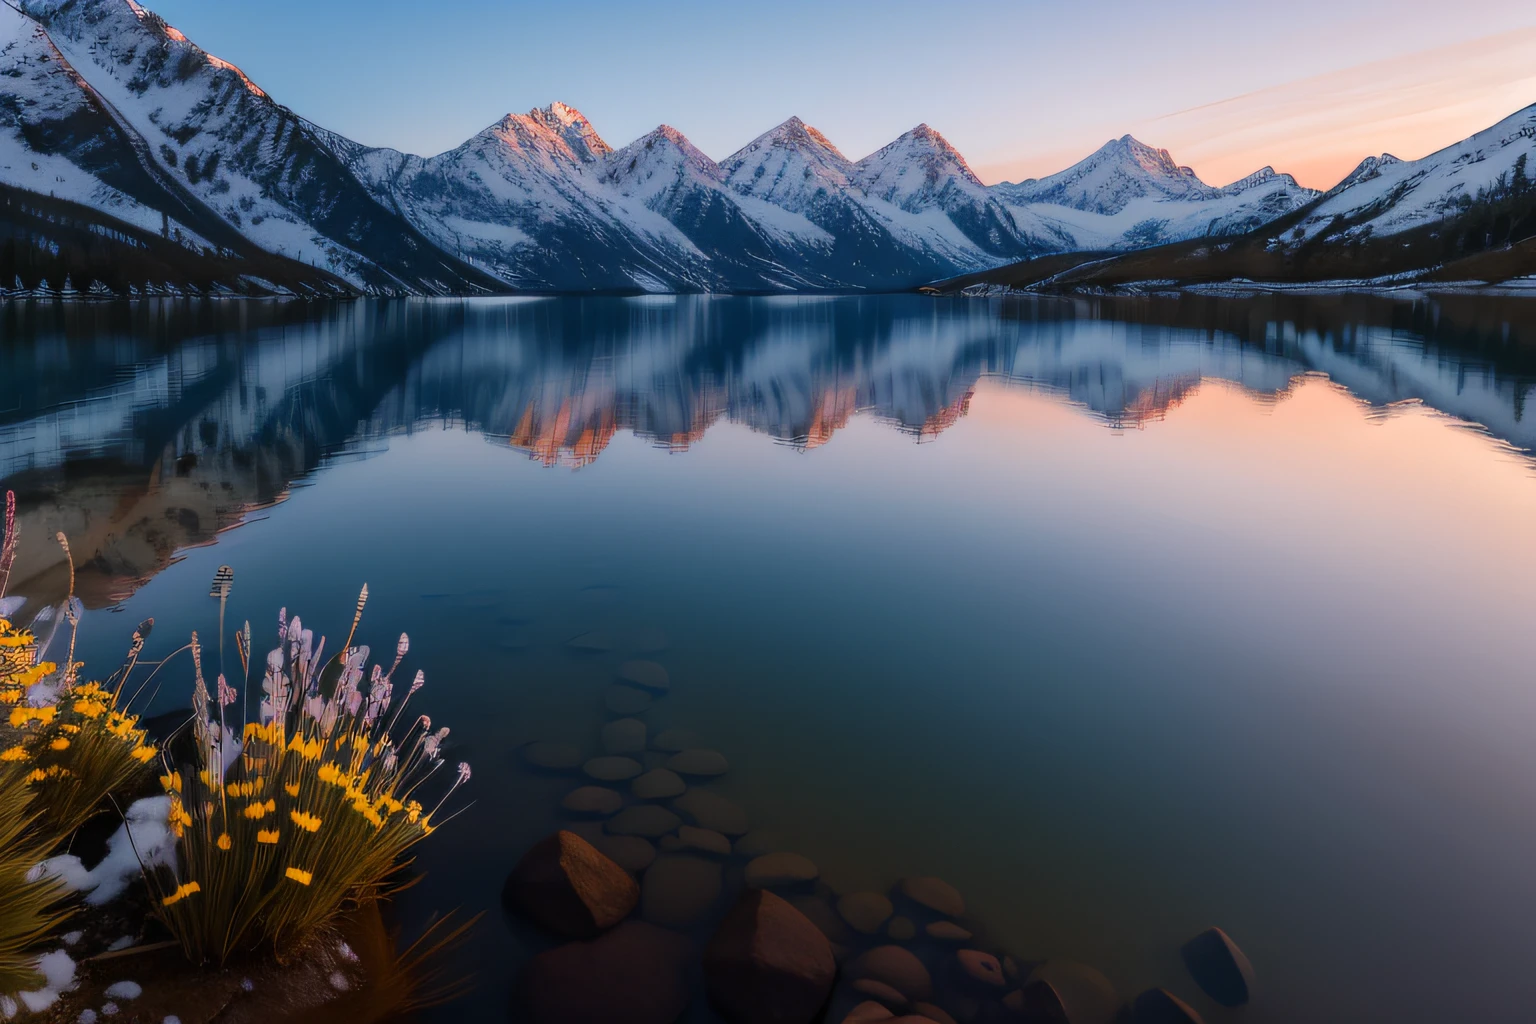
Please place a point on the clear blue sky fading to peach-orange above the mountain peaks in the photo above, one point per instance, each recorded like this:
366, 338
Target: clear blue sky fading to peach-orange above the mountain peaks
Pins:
1022, 88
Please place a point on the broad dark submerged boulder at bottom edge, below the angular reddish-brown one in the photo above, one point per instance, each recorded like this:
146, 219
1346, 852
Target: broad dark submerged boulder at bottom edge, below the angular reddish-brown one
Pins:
637, 974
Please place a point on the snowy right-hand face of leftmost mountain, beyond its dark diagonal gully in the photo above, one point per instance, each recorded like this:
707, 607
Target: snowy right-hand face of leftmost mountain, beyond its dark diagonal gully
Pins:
202, 130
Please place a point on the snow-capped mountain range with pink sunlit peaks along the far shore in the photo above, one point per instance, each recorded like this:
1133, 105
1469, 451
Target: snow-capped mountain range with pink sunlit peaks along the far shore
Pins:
133, 162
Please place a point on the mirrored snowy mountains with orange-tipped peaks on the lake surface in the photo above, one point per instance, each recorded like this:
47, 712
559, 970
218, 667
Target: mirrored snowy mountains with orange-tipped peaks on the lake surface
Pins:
148, 429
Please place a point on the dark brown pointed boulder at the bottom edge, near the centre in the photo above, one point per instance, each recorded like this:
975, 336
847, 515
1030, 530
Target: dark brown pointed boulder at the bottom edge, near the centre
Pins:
769, 965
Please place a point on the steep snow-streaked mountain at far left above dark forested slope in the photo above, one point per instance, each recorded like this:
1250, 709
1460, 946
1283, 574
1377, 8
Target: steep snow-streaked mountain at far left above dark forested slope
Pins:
136, 122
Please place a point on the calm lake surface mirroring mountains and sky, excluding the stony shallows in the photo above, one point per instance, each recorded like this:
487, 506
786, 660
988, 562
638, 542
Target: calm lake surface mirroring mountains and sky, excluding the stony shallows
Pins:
1125, 618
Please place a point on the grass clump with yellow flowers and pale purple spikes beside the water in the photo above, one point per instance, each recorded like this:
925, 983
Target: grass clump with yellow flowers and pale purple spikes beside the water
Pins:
316, 813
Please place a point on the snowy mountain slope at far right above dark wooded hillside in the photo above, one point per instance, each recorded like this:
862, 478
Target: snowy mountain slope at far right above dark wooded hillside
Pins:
1388, 196
